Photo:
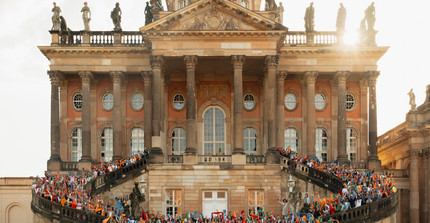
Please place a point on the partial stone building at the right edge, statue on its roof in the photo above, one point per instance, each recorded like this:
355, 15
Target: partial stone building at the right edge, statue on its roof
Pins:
404, 150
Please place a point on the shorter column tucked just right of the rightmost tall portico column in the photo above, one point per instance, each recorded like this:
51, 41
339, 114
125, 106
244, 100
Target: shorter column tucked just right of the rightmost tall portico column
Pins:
280, 117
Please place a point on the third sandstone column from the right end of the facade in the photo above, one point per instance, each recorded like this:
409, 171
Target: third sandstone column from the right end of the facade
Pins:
310, 77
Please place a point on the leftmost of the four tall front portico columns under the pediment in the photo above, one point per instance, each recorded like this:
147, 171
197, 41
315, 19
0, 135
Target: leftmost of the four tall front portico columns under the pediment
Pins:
156, 155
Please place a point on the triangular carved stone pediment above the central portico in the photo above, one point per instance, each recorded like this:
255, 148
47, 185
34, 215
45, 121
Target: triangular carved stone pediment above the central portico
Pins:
213, 15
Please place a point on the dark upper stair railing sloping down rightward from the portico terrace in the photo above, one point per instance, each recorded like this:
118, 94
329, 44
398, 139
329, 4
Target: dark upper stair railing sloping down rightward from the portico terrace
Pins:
320, 178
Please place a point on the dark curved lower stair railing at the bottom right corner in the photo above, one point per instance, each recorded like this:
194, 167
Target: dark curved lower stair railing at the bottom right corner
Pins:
370, 212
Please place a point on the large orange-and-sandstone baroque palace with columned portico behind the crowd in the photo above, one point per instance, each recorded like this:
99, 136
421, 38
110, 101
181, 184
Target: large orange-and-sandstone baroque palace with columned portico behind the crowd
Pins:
212, 88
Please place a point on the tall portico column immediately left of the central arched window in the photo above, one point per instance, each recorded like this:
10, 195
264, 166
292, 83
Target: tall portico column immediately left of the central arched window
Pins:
191, 105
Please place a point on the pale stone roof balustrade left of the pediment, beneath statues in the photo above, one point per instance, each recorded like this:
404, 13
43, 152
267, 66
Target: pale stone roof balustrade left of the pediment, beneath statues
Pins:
97, 38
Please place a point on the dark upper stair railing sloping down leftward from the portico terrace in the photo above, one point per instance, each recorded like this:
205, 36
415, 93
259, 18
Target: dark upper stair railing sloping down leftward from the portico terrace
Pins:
105, 182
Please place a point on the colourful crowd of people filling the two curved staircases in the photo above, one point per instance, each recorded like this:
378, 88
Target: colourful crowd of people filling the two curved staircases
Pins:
359, 188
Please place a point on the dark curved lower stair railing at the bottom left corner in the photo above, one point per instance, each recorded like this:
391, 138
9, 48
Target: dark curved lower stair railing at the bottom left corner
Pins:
52, 210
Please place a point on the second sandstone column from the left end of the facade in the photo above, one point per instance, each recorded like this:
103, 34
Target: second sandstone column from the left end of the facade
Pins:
86, 77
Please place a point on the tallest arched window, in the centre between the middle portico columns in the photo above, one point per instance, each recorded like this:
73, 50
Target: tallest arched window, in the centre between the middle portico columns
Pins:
214, 131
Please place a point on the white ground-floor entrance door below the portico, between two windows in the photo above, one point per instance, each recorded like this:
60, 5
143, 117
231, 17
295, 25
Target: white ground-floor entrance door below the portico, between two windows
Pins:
213, 201
